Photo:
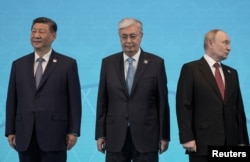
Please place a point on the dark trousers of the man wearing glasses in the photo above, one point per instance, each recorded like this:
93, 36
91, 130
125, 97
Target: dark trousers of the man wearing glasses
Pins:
129, 153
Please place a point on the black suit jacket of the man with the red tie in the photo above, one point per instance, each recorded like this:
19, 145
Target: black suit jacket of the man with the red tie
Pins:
201, 112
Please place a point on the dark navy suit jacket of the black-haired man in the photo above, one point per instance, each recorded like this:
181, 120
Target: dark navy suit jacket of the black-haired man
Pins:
54, 108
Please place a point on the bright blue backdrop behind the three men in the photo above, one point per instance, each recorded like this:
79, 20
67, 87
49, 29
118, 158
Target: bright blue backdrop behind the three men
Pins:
87, 31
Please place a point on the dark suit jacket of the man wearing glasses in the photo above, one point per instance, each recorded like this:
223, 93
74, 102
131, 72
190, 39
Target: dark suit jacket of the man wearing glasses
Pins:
146, 108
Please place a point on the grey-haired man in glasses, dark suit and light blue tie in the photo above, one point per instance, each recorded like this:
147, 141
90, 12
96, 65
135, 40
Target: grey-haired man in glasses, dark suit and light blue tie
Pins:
132, 124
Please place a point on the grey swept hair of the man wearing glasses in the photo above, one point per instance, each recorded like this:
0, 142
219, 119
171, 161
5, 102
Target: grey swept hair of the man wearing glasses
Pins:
126, 22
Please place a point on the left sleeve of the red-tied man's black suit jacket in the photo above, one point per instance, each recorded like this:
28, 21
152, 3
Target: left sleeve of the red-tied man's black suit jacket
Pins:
184, 104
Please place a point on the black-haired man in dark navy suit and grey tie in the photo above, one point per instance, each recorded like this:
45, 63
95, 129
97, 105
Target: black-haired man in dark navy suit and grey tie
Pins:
43, 117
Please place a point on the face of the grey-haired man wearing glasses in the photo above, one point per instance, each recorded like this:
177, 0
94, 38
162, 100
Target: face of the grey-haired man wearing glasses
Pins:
130, 39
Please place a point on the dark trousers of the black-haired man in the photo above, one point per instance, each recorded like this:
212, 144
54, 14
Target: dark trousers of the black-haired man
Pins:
35, 154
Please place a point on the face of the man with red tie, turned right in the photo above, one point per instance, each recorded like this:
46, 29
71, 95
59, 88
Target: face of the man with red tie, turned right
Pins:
220, 46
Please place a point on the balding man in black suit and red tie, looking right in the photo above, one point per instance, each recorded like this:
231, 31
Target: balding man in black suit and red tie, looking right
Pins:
209, 113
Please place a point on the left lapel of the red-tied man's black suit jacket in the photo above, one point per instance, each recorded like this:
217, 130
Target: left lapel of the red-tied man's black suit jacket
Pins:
207, 73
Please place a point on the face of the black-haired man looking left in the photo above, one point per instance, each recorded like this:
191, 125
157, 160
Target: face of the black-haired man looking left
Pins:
41, 37
